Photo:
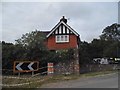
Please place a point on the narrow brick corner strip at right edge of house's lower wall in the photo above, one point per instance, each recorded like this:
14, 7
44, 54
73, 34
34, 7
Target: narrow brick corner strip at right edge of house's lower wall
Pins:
76, 61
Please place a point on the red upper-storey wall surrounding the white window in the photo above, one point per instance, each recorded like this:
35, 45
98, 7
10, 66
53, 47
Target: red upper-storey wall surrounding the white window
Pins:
52, 45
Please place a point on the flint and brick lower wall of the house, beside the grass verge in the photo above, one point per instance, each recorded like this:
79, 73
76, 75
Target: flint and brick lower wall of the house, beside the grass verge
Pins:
69, 67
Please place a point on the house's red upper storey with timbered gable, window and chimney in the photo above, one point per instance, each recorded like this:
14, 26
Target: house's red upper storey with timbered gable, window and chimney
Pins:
62, 36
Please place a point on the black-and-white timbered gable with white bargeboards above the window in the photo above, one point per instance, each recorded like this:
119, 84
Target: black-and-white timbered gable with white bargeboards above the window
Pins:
62, 29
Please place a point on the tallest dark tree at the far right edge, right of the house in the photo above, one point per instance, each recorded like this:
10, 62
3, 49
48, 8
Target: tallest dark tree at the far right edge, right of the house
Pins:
111, 36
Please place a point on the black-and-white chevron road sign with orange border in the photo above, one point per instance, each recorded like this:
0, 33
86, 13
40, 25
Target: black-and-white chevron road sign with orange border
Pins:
25, 66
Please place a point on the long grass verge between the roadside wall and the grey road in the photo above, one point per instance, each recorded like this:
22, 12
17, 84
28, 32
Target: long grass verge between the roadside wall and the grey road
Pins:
36, 82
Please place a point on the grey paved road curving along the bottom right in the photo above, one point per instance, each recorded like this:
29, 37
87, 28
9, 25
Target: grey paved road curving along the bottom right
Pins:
104, 81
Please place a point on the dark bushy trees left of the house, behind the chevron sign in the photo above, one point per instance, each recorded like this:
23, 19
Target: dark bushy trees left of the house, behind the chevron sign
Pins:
29, 47
